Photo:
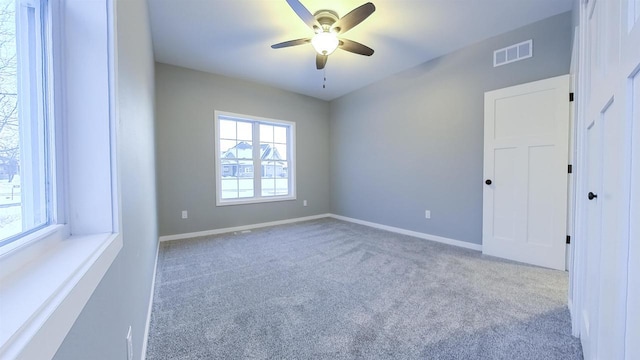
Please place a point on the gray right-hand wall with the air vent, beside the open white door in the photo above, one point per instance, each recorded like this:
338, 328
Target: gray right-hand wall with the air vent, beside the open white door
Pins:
414, 141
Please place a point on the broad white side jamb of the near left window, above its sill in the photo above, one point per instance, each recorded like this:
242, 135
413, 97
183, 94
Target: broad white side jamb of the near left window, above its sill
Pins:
88, 139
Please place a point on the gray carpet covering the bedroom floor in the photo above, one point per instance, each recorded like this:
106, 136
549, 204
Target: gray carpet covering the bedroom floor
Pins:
328, 289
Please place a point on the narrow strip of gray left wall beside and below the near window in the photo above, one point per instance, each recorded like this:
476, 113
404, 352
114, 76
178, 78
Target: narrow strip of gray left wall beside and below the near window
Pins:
122, 297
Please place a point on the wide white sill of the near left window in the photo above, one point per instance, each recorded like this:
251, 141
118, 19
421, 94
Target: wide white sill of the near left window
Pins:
44, 287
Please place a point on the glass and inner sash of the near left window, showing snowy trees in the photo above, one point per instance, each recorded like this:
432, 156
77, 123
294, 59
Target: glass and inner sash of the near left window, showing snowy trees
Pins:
25, 198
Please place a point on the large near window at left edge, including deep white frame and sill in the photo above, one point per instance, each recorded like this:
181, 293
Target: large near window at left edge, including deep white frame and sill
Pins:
50, 264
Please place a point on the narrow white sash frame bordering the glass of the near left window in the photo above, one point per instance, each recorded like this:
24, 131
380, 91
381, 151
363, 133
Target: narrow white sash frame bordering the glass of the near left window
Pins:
32, 80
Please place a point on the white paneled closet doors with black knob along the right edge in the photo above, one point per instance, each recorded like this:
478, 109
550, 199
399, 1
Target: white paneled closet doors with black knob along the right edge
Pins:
607, 266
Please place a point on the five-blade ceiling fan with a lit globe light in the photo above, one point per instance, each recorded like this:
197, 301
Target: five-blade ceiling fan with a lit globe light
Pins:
327, 26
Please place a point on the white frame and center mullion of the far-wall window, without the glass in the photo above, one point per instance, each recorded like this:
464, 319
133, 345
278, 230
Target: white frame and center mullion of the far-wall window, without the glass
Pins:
291, 156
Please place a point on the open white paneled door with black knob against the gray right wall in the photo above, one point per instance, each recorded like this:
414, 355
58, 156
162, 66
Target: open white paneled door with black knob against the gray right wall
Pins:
526, 134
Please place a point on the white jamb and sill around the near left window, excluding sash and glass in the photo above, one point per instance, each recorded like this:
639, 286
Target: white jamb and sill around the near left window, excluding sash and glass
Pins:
48, 276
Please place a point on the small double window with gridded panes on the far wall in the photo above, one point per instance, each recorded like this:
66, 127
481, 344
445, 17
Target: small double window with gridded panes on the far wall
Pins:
255, 159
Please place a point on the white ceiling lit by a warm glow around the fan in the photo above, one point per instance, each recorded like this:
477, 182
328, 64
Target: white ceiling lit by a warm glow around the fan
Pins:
233, 37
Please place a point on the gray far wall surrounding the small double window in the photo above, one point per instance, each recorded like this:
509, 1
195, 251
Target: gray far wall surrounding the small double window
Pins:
185, 104
